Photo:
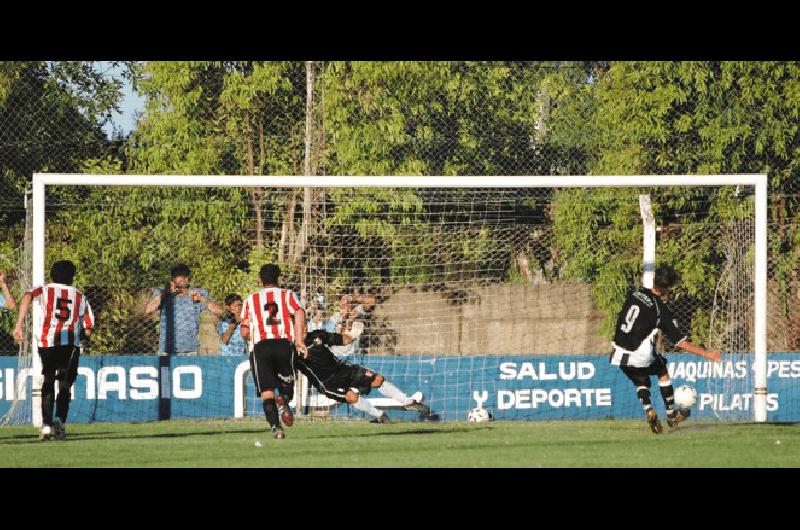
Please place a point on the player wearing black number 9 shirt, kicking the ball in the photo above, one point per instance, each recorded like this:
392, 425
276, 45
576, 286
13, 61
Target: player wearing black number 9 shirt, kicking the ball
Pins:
642, 315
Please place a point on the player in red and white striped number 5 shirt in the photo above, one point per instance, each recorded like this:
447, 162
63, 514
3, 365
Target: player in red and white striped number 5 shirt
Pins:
67, 319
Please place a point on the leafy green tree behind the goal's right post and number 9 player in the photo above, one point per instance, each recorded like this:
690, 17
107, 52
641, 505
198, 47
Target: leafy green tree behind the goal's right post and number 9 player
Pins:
679, 118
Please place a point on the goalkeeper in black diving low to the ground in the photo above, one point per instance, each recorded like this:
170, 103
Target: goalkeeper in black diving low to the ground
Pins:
349, 383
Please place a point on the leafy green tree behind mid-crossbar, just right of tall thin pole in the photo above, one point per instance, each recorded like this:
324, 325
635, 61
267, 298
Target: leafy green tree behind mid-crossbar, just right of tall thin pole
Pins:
430, 118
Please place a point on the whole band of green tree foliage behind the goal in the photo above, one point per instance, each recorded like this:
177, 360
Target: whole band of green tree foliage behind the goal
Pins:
402, 118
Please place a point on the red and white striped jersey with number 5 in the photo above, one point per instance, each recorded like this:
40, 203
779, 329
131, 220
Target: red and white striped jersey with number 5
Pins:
64, 312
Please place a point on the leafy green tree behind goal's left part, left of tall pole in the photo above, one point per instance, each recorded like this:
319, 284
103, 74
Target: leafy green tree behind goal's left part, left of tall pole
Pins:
200, 118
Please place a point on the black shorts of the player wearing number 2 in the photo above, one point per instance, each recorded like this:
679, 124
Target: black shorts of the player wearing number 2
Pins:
272, 364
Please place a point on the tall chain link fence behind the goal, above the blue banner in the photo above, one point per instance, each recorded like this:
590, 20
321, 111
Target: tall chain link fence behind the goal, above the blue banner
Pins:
445, 272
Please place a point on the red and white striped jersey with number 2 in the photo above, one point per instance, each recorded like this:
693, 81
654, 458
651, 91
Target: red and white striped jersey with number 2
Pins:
269, 313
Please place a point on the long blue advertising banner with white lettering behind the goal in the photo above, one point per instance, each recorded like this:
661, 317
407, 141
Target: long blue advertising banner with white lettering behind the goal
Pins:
147, 388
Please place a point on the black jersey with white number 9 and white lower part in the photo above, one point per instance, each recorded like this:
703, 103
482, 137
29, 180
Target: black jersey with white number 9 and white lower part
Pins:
642, 315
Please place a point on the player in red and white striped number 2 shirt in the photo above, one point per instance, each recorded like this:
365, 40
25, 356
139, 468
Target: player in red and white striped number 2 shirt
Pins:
274, 324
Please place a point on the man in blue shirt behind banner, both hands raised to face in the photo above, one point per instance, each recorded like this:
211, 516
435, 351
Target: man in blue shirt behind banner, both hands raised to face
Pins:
180, 306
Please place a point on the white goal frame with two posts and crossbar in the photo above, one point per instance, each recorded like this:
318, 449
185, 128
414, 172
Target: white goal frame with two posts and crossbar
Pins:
758, 182
